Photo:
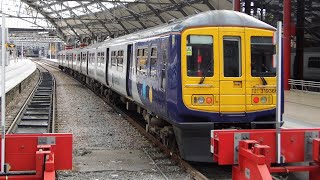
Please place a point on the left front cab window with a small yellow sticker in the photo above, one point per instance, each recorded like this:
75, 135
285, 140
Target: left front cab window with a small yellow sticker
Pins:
199, 56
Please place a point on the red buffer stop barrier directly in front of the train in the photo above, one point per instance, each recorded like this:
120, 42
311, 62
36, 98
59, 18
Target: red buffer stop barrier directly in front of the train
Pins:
253, 151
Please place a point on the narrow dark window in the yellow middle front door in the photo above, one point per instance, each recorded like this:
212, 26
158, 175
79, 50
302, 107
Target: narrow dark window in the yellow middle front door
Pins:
232, 57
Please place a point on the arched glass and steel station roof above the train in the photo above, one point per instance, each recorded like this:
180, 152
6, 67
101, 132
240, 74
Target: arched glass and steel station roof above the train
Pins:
97, 19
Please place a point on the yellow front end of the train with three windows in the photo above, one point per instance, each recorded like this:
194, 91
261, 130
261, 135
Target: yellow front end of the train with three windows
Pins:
228, 69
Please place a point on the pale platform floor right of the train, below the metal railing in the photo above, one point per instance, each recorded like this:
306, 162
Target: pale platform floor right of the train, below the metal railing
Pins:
301, 109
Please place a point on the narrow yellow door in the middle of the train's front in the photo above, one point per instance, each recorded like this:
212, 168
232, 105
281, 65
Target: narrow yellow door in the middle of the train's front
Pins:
232, 68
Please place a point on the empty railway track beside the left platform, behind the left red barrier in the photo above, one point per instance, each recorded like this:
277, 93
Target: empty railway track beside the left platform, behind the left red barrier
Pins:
37, 115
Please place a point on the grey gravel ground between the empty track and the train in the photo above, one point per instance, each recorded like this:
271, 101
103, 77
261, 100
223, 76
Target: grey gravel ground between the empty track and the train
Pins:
105, 145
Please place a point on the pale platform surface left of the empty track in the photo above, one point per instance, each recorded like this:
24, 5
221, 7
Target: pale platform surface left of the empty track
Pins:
16, 72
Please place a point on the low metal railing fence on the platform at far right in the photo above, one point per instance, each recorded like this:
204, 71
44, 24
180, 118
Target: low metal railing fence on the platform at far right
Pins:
303, 85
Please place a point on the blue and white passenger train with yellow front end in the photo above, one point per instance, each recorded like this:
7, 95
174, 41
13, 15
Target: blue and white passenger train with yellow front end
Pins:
212, 70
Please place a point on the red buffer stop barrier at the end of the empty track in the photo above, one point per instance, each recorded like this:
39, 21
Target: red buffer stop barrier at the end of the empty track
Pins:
37, 156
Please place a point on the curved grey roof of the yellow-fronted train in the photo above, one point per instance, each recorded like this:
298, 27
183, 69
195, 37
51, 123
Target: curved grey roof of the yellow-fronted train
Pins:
204, 19
